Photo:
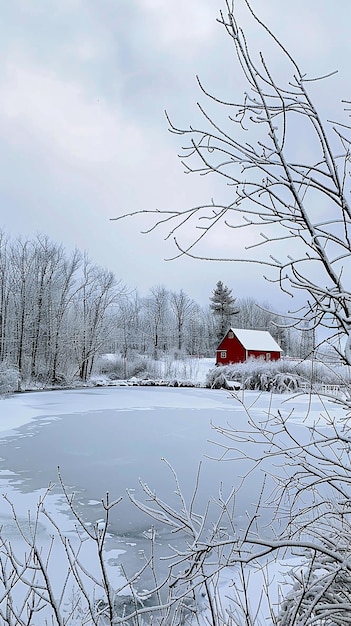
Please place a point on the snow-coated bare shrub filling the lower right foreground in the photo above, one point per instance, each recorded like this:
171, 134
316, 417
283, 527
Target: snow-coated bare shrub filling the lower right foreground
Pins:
300, 525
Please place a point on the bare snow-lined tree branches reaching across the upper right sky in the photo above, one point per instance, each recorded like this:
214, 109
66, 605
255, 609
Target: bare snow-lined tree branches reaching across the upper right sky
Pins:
298, 207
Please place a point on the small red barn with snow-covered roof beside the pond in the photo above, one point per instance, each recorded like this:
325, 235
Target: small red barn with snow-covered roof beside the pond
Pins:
239, 344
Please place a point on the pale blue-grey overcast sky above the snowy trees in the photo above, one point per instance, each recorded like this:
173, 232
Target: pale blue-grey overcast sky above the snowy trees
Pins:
83, 89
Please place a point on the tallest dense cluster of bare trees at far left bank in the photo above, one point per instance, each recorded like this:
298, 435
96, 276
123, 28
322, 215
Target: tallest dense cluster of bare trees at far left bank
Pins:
53, 308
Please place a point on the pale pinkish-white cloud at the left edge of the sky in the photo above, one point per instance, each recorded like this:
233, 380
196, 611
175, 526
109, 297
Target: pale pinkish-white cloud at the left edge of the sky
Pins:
59, 114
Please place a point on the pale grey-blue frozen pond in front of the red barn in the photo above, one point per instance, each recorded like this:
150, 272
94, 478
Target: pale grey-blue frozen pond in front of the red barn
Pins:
106, 439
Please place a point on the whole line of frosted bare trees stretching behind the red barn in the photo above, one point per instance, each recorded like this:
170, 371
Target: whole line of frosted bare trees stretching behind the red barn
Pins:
59, 311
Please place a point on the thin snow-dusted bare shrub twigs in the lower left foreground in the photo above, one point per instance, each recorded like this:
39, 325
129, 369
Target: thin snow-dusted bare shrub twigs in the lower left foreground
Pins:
62, 578
